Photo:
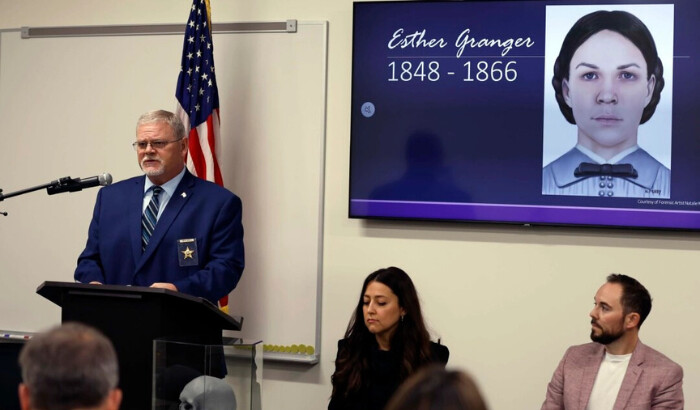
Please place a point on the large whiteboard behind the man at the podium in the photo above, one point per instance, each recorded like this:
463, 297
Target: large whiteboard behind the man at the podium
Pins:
68, 107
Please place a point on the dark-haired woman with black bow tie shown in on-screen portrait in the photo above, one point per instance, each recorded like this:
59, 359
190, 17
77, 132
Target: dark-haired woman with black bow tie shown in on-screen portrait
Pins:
607, 80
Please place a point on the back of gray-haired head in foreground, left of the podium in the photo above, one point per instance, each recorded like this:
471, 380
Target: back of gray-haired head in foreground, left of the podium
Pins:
69, 366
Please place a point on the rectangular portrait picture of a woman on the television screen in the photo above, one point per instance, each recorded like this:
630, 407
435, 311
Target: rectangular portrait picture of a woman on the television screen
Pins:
612, 81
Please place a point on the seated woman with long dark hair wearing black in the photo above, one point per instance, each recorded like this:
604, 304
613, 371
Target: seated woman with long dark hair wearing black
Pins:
386, 341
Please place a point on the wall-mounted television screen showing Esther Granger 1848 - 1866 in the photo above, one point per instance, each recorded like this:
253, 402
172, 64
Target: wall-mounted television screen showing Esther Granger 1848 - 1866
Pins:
527, 112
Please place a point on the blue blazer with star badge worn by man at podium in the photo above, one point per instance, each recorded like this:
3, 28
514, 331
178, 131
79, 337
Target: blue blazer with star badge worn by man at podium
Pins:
197, 244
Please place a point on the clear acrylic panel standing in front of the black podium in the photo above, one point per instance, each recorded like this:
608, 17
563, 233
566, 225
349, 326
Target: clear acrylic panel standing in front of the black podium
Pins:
193, 376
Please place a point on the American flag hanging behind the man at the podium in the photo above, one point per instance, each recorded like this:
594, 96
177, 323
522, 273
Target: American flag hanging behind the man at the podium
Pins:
198, 98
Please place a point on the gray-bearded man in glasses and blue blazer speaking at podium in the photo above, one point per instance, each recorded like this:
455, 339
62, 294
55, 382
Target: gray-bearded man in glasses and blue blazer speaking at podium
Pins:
165, 229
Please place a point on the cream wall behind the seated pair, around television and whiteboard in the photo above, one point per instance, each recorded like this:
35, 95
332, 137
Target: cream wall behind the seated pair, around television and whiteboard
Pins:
506, 300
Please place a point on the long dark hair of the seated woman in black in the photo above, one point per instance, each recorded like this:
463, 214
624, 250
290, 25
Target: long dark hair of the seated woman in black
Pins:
410, 342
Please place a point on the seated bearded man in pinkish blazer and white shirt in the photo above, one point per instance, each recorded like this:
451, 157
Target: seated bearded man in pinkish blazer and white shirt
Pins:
616, 371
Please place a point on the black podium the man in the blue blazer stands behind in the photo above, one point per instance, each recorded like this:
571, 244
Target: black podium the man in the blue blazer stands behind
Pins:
132, 317
